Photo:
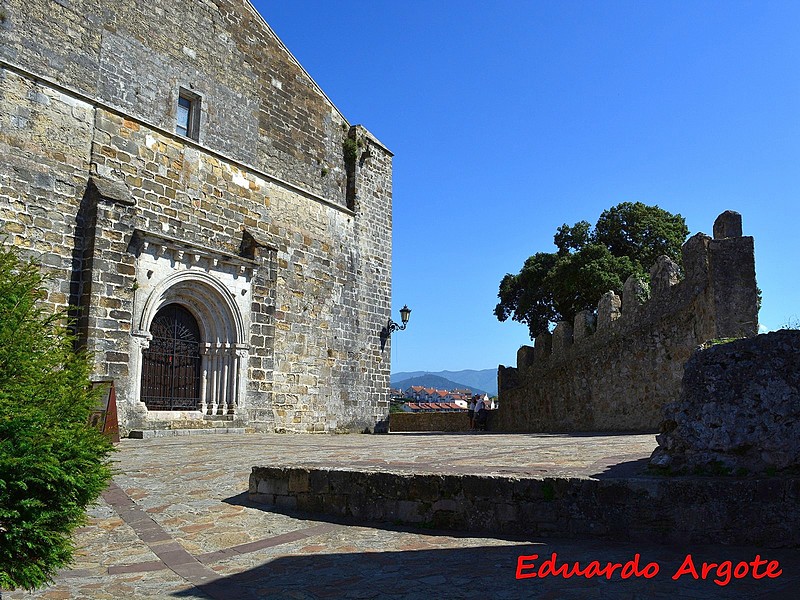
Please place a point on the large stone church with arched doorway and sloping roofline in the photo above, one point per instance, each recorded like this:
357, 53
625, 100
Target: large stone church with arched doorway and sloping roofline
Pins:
219, 230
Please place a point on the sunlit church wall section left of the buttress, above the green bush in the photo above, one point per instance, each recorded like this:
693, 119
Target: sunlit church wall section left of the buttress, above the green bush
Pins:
45, 147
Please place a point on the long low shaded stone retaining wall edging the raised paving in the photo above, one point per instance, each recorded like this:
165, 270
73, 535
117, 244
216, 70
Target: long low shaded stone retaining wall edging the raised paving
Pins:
652, 509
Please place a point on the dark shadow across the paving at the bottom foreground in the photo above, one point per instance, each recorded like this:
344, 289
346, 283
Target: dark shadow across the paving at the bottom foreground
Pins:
490, 572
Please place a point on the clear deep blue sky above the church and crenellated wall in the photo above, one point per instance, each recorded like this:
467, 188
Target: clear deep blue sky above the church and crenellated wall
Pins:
508, 119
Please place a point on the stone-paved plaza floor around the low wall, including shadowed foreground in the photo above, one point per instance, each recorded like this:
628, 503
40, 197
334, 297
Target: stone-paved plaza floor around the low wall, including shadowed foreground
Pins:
176, 523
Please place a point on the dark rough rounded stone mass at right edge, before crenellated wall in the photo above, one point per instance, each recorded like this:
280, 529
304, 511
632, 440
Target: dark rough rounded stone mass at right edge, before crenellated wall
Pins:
739, 408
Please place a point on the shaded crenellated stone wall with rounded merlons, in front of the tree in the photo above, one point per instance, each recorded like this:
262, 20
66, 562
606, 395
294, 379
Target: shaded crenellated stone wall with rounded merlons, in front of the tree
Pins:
616, 372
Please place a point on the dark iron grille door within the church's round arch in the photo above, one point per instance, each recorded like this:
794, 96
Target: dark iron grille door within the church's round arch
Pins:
171, 365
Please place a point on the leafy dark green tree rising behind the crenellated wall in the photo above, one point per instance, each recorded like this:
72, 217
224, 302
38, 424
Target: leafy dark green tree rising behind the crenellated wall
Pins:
554, 286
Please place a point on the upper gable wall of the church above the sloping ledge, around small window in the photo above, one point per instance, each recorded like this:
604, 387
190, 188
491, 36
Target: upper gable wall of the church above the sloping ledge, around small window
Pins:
260, 107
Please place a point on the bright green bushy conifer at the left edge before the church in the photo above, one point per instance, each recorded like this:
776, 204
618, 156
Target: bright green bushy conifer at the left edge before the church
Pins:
52, 465
